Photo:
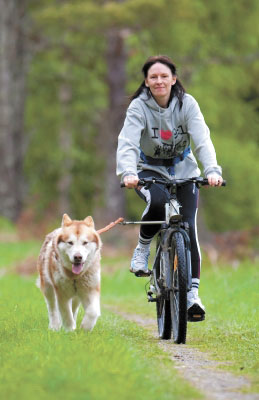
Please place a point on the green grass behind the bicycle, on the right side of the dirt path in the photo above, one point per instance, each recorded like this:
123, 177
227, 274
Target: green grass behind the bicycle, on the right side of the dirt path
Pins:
231, 297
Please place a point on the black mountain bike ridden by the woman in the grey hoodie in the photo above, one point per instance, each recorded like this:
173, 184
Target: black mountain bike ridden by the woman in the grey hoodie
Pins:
171, 277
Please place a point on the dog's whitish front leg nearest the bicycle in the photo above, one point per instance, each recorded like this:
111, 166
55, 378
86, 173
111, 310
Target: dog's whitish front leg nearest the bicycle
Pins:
91, 305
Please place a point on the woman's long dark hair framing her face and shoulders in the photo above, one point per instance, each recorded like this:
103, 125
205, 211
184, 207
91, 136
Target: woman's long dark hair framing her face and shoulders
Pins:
176, 90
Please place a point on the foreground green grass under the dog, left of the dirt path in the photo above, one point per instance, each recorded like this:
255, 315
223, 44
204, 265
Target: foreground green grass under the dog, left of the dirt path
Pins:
117, 360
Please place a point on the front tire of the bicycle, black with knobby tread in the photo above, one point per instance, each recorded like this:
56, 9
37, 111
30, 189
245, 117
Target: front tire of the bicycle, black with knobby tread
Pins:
178, 294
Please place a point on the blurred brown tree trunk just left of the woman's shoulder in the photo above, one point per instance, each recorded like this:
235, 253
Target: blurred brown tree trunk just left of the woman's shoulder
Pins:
116, 79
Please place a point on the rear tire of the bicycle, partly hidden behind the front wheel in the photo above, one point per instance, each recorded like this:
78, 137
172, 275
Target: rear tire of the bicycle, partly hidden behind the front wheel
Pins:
164, 323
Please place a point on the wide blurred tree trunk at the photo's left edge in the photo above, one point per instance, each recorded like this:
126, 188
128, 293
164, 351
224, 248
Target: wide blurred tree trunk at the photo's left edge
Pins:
12, 99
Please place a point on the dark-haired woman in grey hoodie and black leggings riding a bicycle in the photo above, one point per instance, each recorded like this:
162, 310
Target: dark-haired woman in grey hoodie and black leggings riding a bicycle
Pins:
155, 141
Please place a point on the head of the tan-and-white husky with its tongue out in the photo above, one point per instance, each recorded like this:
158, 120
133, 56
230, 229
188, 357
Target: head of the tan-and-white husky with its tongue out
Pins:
77, 244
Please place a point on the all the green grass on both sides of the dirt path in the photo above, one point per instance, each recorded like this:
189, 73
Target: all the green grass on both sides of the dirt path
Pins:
118, 358
